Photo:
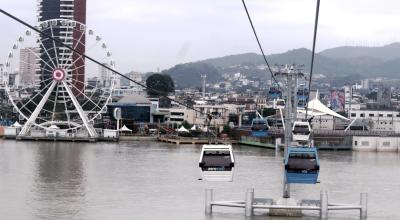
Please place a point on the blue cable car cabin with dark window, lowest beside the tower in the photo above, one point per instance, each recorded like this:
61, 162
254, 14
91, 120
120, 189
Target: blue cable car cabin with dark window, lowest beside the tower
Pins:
302, 165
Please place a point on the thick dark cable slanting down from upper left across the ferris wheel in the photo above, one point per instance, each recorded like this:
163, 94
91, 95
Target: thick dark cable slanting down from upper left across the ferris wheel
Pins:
97, 62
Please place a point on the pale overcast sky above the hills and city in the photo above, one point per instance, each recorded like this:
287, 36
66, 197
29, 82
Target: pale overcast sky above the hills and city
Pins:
144, 35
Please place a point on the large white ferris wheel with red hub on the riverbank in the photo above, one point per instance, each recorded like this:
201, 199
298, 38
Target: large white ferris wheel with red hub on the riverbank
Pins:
52, 87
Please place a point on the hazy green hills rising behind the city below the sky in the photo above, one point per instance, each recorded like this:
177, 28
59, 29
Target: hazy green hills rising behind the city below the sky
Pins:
337, 62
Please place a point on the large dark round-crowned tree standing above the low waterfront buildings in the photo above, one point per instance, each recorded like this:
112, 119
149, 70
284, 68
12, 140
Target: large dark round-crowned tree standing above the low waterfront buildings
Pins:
160, 82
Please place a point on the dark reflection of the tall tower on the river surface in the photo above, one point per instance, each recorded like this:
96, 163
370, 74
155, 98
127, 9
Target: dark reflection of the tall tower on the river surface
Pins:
59, 180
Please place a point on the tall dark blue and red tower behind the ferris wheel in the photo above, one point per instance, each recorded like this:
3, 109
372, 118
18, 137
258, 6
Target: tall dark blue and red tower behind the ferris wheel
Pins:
74, 37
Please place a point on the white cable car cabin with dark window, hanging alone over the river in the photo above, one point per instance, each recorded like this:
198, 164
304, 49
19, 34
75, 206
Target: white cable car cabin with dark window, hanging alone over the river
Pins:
217, 163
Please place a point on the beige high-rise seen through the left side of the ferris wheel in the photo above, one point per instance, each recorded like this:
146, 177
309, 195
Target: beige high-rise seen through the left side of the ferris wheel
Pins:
27, 65
